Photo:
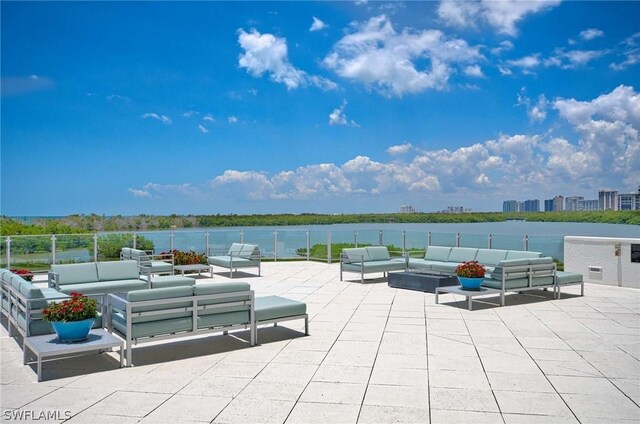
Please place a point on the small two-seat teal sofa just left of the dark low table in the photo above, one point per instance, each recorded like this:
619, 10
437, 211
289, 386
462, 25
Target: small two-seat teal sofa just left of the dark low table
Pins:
365, 260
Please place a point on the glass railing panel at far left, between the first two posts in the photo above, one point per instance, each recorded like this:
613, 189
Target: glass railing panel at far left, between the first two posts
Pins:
31, 252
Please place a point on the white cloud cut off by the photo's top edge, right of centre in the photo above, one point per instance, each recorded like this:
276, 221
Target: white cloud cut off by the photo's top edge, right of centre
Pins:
501, 15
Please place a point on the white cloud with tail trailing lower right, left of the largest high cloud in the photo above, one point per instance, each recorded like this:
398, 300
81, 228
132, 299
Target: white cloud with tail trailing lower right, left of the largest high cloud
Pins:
266, 53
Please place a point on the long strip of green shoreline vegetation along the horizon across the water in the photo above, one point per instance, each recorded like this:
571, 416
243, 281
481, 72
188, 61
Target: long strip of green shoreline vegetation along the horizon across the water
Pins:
75, 224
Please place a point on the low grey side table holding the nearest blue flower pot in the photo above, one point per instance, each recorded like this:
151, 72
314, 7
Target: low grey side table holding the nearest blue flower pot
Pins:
49, 345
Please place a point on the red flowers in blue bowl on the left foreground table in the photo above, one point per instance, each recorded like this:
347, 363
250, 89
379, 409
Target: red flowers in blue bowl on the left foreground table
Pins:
73, 318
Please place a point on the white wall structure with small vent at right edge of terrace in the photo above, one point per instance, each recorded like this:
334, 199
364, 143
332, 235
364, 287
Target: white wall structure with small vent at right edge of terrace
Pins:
602, 260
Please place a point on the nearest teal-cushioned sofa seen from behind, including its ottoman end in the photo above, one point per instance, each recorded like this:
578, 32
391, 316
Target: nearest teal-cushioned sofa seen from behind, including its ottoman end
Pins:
168, 313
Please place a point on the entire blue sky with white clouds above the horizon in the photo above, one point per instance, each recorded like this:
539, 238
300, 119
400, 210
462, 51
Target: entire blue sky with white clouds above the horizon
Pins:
272, 107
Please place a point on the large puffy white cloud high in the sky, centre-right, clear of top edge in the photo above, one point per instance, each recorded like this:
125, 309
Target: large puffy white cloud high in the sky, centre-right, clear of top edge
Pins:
375, 54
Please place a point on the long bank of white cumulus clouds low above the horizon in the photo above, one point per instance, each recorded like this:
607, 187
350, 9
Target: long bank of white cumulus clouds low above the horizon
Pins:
603, 151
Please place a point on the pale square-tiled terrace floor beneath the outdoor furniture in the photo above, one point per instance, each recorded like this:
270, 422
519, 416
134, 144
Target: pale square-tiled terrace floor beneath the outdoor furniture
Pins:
375, 355
